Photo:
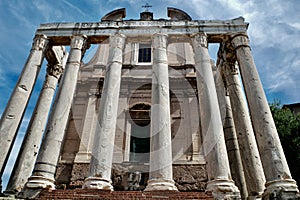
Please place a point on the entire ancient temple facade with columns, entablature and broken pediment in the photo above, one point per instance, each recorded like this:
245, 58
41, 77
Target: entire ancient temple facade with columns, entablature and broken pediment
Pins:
150, 111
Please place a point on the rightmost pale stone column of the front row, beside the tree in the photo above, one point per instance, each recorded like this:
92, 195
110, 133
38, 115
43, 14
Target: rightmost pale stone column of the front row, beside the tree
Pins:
277, 173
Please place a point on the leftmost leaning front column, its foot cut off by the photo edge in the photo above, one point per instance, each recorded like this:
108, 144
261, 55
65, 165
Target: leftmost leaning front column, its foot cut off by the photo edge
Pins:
13, 113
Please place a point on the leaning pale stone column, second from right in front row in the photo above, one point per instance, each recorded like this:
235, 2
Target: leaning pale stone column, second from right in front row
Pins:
214, 147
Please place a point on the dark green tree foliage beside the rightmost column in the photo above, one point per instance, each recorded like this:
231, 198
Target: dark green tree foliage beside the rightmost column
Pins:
288, 127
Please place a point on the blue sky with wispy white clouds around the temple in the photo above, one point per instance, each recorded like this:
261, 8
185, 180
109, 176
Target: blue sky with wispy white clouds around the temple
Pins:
274, 34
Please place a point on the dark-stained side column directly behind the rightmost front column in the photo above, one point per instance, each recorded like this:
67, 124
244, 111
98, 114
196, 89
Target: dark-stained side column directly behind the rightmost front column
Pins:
246, 138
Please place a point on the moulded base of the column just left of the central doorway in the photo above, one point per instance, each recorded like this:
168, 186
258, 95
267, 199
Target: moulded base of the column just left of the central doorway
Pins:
97, 183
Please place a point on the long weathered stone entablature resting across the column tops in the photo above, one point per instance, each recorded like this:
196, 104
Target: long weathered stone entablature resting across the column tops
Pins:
97, 32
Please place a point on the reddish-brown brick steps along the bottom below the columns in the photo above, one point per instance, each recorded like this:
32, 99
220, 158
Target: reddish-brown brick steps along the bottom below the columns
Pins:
125, 195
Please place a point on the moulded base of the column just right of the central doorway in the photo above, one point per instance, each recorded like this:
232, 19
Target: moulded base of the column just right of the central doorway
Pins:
160, 185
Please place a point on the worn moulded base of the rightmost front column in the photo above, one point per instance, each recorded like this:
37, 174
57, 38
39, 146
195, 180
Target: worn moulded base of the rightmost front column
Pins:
281, 189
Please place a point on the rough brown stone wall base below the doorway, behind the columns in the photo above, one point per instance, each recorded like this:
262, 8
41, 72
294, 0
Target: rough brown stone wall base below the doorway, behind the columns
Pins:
187, 177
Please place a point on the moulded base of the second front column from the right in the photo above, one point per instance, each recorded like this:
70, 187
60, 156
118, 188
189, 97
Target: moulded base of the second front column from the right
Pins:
223, 189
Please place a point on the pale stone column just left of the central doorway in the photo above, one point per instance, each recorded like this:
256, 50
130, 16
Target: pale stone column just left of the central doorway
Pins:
102, 153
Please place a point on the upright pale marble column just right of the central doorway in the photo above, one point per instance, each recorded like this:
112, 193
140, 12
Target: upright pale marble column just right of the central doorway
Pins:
161, 174
